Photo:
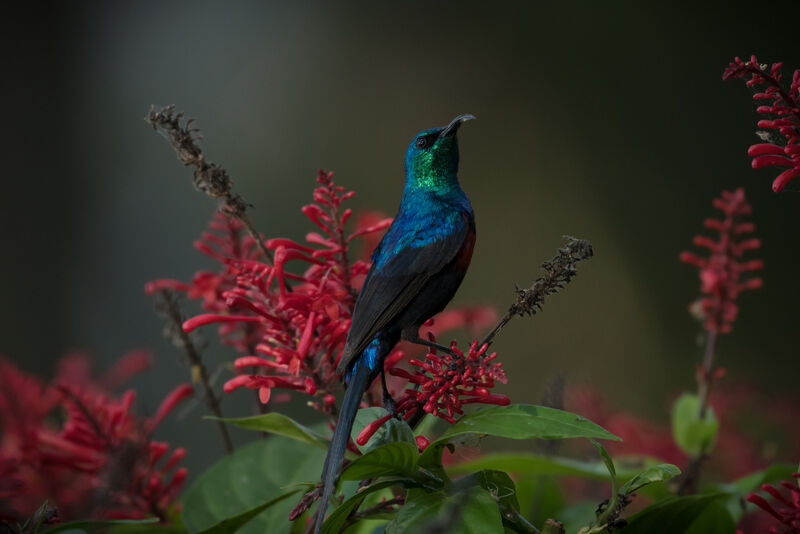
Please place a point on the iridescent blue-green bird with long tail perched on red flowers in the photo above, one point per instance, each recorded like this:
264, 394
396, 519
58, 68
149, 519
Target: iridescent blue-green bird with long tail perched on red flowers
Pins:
416, 270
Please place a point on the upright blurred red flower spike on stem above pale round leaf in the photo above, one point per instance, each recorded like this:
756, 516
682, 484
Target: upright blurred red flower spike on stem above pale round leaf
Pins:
721, 273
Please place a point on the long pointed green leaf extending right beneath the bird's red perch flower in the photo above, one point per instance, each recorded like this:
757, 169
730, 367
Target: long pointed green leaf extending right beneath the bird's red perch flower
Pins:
516, 421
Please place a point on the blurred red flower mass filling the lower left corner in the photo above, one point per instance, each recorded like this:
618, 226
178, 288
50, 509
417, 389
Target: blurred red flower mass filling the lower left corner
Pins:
100, 461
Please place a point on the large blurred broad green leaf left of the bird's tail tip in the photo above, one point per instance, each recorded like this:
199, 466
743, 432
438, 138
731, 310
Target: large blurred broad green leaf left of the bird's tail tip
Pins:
253, 475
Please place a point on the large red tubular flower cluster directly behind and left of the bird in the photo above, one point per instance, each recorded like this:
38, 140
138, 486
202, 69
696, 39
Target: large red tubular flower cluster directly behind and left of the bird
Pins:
289, 314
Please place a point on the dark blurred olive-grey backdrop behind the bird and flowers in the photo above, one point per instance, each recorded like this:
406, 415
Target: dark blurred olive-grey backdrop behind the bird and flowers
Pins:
607, 122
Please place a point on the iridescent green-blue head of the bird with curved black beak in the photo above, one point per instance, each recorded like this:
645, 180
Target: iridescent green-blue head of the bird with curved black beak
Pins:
432, 156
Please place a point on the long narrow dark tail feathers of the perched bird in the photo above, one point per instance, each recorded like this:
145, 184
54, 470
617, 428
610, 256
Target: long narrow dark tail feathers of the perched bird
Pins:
359, 382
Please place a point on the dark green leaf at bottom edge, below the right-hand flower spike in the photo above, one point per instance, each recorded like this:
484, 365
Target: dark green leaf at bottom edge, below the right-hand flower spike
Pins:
679, 515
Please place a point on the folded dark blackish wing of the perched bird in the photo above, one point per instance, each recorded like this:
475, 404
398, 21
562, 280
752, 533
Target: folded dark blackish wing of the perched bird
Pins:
389, 289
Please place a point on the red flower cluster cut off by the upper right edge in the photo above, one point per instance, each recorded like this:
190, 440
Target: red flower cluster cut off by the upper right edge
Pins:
781, 125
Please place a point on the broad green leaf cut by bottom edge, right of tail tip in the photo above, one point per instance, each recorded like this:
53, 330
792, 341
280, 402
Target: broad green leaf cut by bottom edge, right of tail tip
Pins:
471, 511
